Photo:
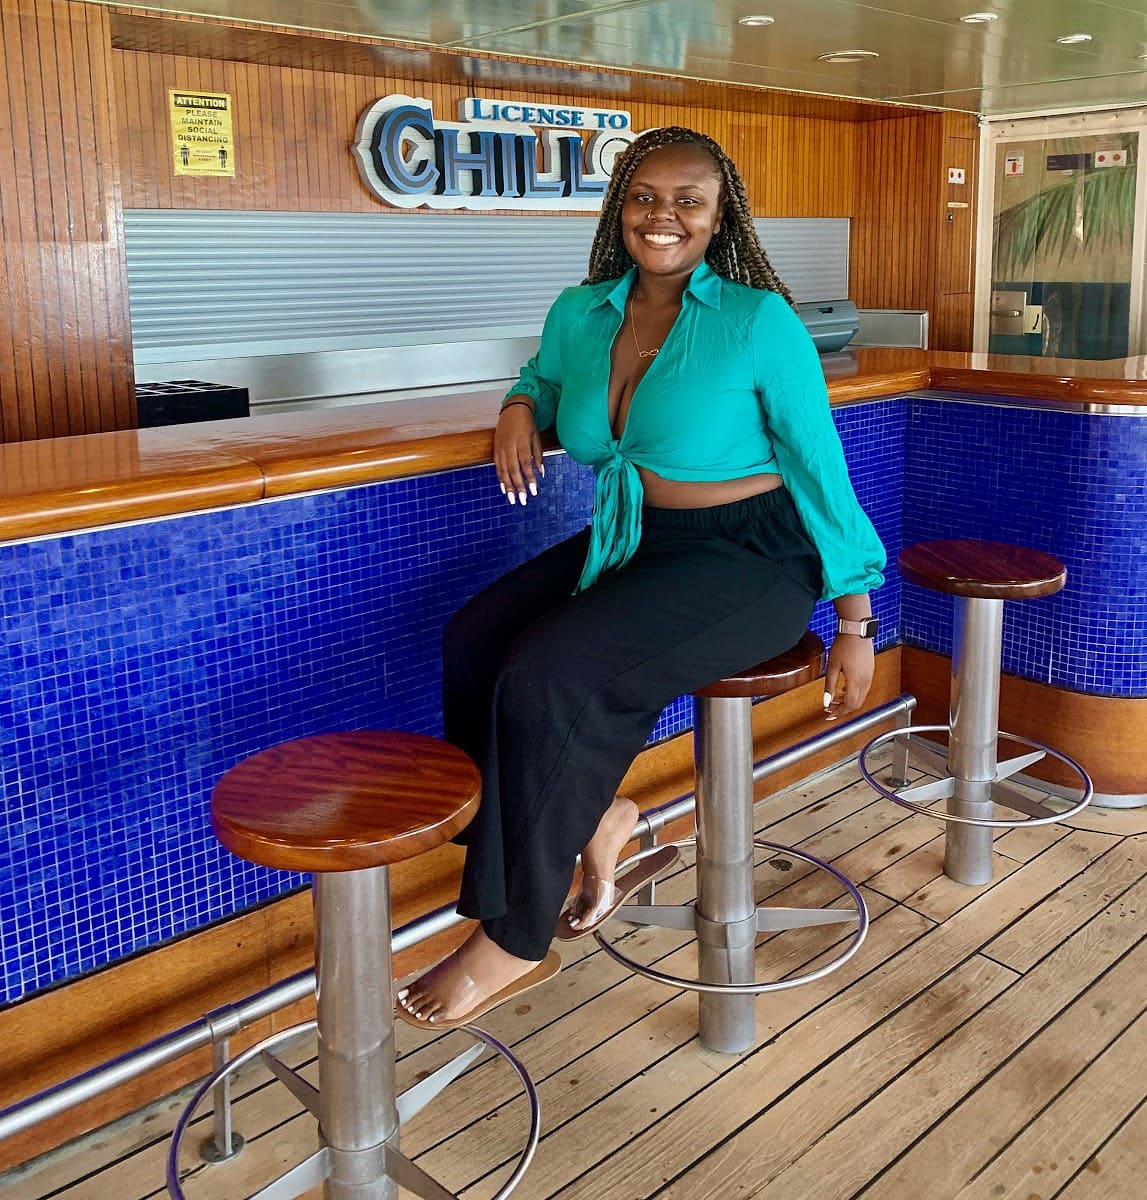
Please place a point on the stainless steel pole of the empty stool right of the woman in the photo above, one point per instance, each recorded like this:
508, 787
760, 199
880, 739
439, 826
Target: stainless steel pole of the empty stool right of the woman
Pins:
975, 722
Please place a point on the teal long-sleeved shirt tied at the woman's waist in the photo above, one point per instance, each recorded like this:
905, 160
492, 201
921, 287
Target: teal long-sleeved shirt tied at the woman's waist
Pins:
737, 389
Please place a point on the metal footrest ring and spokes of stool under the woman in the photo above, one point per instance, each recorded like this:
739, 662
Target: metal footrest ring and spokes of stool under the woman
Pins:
768, 920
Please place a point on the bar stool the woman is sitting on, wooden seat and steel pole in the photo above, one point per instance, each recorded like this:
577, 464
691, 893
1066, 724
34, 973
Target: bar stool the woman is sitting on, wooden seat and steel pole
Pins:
725, 916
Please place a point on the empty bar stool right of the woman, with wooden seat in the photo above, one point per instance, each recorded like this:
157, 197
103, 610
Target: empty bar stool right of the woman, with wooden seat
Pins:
982, 575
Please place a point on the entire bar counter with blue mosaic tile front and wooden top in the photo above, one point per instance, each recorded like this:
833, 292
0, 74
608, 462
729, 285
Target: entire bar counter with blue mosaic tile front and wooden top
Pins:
173, 601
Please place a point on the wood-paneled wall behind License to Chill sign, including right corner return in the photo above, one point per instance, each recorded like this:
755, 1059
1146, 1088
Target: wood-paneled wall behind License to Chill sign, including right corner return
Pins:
295, 131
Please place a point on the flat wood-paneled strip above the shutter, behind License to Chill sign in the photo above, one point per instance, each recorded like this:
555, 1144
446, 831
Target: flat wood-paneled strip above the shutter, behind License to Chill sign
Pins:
295, 130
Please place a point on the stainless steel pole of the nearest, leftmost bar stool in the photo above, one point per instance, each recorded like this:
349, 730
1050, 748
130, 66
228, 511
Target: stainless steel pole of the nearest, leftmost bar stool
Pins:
358, 1109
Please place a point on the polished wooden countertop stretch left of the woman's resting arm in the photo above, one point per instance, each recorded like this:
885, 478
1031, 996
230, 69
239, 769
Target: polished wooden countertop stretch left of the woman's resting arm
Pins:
58, 485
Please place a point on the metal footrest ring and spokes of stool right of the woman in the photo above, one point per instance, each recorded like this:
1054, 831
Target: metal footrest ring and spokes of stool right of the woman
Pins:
920, 797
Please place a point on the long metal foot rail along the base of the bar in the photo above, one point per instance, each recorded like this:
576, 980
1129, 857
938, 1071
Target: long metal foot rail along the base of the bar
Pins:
231, 1018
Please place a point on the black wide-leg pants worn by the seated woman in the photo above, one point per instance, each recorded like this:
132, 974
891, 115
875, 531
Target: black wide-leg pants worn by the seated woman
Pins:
555, 694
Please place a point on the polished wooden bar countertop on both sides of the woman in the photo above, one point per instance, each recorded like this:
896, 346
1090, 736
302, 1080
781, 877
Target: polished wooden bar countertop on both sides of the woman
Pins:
64, 484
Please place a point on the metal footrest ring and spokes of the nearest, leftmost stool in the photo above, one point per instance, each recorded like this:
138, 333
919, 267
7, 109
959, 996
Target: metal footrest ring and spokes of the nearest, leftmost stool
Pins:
314, 1171
